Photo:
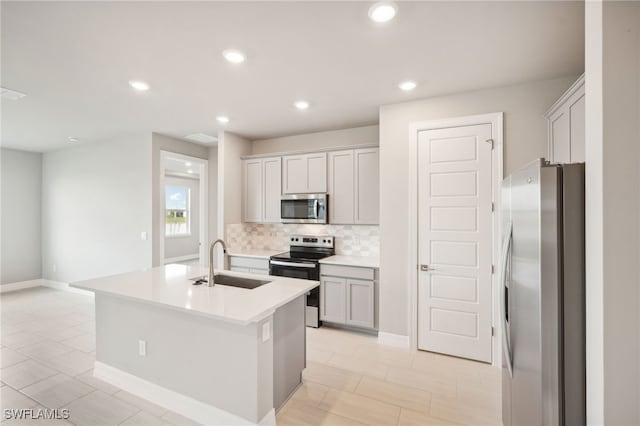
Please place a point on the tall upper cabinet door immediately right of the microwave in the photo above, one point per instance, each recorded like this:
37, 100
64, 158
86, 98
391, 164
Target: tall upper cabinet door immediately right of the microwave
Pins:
341, 187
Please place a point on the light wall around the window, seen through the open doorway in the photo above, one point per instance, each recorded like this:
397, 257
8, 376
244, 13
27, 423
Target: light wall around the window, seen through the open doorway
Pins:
185, 245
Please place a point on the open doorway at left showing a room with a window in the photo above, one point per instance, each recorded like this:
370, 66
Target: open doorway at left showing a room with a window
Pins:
183, 209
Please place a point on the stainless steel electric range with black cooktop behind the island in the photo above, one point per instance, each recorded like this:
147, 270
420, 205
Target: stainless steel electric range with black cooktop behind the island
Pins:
302, 261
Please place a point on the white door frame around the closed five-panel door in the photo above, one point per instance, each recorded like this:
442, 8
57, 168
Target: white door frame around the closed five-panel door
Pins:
496, 121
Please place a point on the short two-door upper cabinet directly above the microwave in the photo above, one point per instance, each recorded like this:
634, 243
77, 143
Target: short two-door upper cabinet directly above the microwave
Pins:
306, 173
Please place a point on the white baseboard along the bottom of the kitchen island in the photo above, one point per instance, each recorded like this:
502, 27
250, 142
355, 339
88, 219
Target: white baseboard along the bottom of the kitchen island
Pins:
191, 408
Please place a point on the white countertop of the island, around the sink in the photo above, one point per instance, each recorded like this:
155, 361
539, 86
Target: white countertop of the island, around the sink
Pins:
169, 286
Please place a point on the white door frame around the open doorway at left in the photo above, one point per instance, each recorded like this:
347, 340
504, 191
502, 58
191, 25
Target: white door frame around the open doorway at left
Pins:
202, 166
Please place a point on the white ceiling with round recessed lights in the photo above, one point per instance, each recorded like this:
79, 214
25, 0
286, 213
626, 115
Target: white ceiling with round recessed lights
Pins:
74, 60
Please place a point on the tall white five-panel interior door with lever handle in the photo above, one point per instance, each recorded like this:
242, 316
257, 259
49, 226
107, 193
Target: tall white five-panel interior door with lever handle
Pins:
455, 241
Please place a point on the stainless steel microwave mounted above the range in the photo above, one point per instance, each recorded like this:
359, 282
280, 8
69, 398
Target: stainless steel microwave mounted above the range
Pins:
304, 208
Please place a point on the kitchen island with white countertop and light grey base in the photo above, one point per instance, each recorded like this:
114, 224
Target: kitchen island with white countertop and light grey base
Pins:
219, 355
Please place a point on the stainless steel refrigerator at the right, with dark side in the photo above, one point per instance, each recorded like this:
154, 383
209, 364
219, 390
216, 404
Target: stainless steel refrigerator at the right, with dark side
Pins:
543, 296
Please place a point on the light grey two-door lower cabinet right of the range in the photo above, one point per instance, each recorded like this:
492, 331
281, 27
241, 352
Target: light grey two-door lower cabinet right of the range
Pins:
348, 296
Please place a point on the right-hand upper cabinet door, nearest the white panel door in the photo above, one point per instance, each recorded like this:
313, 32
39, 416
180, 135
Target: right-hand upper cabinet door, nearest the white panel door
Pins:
367, 197
